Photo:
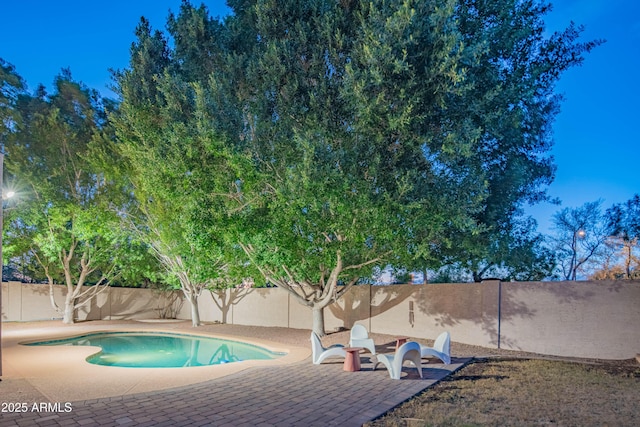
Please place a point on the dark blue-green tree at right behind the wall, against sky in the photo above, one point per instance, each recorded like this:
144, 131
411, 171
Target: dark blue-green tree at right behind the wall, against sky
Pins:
511, 104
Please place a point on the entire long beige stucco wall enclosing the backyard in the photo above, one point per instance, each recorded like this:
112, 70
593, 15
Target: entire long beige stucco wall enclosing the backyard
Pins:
579, 319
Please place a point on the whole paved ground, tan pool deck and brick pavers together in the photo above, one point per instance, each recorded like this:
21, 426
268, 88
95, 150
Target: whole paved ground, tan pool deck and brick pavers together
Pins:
288, 391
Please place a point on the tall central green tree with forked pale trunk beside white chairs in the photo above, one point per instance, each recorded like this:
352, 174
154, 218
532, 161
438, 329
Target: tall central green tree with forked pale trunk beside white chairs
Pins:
336, 101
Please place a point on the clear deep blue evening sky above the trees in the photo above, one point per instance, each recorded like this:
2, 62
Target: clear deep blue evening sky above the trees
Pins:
596, 140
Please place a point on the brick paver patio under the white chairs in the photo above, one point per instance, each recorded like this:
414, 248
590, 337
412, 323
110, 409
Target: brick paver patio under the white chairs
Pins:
300, 394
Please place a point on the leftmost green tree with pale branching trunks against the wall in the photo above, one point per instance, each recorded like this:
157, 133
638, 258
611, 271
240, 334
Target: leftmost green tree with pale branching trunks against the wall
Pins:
65, 218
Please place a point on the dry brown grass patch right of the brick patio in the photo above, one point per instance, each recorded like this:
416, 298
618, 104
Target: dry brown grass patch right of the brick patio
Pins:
527, 392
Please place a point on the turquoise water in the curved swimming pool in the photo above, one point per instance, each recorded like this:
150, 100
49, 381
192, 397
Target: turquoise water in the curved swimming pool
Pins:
163, 350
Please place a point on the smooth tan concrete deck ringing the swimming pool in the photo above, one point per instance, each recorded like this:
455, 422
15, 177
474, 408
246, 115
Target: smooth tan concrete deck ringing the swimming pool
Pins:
60, 373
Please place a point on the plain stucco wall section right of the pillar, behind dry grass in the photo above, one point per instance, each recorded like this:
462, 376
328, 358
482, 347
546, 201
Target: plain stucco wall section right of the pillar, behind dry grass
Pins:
582, 319
